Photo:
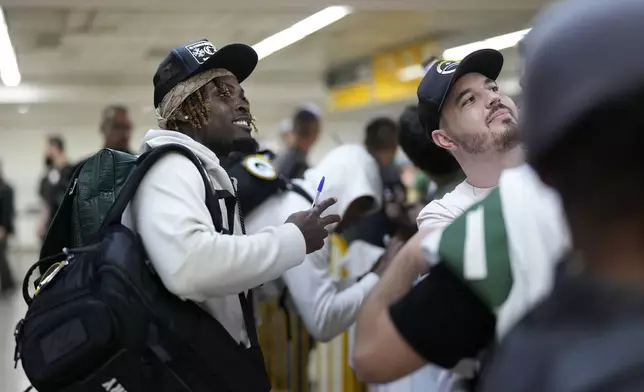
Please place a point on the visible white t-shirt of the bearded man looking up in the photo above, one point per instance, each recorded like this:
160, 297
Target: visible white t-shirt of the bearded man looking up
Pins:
440, 213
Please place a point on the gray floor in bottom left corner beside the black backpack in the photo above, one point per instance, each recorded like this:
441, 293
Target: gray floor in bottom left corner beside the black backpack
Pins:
12, 309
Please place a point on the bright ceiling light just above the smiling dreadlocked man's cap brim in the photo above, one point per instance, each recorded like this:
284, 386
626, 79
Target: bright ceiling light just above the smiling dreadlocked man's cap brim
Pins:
301, 29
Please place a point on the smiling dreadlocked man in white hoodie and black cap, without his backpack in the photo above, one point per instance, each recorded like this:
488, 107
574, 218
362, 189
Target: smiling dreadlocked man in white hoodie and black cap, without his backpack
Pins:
201, 105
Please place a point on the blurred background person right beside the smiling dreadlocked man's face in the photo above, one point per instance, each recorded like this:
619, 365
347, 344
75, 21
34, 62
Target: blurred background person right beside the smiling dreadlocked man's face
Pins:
292, 163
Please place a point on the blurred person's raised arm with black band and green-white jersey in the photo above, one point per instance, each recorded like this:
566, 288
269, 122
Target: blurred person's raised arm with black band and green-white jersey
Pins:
488, 268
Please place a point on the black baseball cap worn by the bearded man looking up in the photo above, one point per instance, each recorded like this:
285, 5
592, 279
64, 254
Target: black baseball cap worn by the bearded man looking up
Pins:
442, 75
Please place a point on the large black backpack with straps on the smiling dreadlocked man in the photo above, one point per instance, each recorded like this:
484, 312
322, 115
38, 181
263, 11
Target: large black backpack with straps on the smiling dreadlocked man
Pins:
101, 320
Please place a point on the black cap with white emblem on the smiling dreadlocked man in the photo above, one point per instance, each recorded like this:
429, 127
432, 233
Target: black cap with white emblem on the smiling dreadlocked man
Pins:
196, 57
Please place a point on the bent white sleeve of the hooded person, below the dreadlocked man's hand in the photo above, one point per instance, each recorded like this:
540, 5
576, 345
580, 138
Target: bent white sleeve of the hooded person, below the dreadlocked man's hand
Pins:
324, 309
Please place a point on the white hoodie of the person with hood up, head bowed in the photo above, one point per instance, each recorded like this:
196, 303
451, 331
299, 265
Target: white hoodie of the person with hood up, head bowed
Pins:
351, 172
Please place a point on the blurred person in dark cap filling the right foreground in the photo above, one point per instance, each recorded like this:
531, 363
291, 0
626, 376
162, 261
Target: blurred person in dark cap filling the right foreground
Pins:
587, 335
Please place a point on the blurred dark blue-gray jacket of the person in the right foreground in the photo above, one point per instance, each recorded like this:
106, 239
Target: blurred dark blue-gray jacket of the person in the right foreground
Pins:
583, 338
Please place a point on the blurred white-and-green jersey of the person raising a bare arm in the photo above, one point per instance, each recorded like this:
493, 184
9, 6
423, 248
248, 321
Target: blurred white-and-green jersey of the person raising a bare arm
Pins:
506, 246
